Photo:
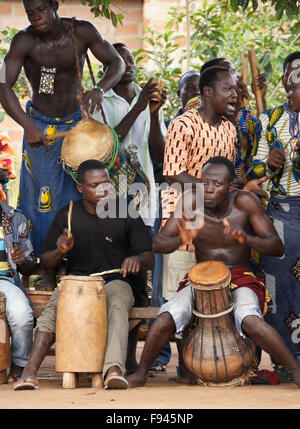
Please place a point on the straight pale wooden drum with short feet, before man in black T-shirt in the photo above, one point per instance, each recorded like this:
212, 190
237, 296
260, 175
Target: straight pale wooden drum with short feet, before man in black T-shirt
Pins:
81, 328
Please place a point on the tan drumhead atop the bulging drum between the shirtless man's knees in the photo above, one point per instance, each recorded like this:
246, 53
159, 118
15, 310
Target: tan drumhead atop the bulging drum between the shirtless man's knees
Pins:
210, 273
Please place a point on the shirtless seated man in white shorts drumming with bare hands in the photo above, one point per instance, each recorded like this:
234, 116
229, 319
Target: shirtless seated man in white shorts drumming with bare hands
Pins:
219, 241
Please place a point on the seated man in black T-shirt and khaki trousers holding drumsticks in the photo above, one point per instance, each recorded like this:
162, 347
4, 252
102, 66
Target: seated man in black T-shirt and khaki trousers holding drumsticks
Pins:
96, 244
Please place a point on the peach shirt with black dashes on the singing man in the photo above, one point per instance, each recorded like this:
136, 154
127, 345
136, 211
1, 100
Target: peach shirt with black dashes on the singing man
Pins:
190, 142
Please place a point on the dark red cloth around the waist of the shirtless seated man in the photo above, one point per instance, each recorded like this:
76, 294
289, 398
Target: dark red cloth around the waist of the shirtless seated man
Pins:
241, 277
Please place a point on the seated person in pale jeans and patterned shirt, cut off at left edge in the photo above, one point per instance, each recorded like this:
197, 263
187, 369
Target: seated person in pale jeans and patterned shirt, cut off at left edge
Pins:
16, 257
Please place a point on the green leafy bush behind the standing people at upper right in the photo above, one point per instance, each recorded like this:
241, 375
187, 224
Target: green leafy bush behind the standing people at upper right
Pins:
220, 32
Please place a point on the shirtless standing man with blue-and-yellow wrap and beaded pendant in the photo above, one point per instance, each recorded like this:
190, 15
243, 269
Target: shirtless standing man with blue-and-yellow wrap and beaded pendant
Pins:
46, 50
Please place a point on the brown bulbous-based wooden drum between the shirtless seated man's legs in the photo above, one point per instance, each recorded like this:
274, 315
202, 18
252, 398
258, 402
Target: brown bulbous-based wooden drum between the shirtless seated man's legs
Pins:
214, 350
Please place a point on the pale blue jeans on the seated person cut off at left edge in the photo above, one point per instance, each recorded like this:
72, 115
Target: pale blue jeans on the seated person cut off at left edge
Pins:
20, 320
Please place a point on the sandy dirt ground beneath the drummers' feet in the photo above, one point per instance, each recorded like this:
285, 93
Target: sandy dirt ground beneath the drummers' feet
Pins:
158, 393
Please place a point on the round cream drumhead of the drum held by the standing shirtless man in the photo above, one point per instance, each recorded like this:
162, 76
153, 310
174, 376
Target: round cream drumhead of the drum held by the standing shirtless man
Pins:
89, 139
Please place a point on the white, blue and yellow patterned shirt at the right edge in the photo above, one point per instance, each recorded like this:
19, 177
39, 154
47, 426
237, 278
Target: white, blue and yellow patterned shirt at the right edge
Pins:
277, 128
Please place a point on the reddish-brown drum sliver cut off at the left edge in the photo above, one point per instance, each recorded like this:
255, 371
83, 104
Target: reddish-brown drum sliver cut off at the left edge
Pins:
4, 341
